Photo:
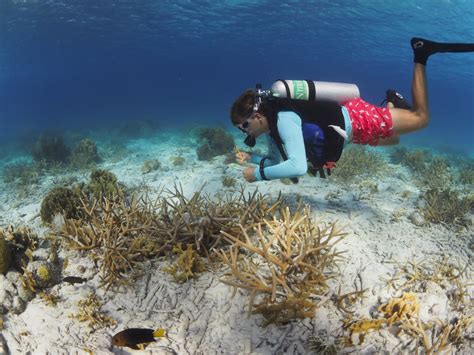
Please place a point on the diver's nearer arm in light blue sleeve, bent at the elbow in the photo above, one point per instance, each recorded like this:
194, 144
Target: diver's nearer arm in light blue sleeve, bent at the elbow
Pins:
289, 127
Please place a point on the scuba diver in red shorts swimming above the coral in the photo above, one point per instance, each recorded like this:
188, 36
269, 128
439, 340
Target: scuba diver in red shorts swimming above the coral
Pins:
307, 121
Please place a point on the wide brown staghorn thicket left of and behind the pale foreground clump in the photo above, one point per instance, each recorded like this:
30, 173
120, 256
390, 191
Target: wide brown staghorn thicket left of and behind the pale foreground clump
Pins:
120, 234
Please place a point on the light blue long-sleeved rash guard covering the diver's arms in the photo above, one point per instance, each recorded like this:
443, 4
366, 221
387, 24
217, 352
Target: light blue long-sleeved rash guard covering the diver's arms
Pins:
289, 128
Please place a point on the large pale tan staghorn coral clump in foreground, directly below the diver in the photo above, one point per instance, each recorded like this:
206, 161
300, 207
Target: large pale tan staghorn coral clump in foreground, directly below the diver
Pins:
288, 262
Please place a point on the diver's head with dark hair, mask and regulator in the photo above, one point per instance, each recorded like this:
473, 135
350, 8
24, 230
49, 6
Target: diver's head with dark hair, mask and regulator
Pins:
248, 115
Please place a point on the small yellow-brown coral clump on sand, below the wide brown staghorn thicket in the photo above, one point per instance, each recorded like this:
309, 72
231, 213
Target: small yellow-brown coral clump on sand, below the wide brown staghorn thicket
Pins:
187, 265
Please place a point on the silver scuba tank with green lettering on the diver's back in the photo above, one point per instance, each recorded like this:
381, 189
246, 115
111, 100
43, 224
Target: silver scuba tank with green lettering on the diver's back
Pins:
314, 90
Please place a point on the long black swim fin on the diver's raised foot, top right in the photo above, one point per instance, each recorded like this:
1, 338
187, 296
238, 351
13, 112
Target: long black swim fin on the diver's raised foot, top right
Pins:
423, 48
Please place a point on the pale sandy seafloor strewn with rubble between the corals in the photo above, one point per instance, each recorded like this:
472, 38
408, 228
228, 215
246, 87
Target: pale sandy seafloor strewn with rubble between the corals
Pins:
200, 316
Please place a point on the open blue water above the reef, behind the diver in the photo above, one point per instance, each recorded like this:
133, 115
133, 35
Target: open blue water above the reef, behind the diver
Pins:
78, 64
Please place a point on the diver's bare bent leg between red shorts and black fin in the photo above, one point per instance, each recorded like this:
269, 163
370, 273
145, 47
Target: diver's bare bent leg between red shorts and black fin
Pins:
405, 121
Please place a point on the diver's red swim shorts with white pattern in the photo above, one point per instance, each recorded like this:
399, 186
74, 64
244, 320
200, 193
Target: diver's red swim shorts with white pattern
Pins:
369, 123
